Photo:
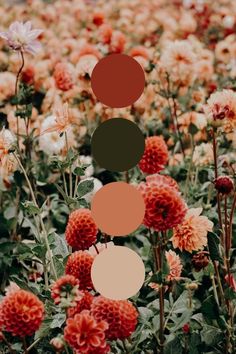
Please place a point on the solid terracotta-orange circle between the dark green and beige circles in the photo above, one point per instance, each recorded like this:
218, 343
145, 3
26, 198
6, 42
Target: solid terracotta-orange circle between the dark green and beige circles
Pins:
118, 209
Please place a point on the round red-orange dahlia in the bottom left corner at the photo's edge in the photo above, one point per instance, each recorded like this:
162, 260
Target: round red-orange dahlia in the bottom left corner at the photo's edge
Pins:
22, 313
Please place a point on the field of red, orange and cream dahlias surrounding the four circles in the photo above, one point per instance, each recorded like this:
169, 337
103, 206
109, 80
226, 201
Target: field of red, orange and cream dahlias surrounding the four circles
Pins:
48, 177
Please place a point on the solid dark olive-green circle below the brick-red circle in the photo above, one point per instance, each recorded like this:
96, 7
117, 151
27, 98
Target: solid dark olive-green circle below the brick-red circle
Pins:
117, 144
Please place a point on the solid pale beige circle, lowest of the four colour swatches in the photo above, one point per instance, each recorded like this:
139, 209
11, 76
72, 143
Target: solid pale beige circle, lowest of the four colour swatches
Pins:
118, 273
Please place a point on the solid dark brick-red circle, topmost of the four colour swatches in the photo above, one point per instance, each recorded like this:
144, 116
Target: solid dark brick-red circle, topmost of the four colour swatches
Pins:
118, 80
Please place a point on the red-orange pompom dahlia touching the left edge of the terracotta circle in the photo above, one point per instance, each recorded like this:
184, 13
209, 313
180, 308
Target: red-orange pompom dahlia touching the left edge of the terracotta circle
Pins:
81, 230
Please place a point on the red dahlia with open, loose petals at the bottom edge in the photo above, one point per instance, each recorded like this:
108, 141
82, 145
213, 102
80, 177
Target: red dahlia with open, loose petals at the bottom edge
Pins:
85, 334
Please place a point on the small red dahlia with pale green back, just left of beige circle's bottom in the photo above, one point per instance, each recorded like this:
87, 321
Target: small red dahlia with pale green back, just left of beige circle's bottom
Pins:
65, 291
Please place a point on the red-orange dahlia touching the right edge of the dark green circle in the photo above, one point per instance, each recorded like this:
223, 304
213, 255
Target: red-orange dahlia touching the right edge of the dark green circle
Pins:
155, 155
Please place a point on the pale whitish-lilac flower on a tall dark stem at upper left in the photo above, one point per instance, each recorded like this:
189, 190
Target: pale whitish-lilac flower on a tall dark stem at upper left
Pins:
21, 37
